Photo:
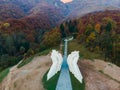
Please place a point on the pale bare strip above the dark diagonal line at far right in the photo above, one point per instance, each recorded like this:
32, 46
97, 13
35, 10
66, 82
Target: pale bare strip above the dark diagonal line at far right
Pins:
107, 68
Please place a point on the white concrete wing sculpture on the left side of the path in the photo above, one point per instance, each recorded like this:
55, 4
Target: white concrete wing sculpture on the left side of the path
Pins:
56, 63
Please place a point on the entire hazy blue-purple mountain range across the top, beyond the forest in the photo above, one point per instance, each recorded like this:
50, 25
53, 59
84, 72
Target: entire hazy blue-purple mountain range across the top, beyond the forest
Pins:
47, 13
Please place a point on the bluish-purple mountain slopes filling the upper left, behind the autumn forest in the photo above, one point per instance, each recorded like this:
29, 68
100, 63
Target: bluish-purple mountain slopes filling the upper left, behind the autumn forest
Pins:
43, 14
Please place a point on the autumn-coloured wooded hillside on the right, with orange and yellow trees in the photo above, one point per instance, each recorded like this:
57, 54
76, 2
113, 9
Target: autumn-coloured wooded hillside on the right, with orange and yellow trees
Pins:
99, 32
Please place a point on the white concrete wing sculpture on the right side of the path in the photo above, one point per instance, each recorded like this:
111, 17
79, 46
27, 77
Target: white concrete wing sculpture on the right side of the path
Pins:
73, 67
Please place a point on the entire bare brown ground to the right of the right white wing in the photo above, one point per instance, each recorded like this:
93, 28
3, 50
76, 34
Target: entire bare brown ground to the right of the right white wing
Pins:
95, 78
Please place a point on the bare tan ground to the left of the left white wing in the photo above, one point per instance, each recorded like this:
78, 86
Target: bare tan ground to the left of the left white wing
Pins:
29, 77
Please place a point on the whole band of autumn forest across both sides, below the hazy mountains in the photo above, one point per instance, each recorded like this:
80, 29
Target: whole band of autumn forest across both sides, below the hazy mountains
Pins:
98, 32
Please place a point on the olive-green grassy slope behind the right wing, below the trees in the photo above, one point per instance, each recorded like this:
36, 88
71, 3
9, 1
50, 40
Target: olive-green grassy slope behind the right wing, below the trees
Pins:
84, 53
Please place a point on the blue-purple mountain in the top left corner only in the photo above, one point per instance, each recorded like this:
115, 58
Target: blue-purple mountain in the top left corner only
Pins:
15, 8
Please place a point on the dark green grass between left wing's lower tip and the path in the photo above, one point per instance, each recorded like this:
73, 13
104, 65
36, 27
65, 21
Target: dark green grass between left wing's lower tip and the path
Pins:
51, 83
